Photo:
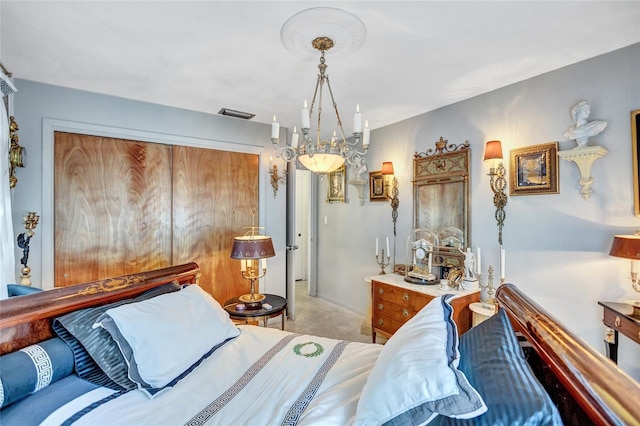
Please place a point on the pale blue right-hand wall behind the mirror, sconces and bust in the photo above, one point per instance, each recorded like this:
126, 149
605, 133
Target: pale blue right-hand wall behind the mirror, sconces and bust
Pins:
556, 245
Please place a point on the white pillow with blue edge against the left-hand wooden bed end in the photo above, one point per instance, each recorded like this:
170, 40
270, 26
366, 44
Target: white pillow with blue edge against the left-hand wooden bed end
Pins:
162, 337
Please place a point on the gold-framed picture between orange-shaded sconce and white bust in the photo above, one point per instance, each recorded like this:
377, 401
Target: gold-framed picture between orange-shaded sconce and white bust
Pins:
534, 170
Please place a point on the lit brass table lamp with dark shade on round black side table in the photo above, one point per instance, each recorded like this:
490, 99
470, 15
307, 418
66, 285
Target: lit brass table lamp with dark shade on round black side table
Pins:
252, 250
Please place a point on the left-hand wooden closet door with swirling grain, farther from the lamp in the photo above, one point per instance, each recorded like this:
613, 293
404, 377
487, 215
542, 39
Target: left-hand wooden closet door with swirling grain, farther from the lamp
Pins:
112, 207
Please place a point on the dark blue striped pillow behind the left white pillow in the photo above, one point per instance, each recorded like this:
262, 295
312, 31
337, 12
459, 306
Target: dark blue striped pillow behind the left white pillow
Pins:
97, 356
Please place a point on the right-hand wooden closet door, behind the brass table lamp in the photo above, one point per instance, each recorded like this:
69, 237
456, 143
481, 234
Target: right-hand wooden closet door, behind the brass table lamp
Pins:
213, 194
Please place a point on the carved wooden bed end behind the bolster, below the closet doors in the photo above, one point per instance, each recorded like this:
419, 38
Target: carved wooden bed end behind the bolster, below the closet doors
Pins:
26, 320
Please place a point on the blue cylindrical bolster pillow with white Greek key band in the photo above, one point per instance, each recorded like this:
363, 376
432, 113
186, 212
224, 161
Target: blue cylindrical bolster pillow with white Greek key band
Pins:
33, 368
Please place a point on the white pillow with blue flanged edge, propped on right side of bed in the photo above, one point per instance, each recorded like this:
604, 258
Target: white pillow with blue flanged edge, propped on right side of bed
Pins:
416, 377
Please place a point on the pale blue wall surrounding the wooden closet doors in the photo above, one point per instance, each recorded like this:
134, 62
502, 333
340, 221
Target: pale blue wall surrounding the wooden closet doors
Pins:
37, 104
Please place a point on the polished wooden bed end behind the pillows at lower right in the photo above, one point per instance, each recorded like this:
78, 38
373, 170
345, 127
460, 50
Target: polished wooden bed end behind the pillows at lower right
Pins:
587, 387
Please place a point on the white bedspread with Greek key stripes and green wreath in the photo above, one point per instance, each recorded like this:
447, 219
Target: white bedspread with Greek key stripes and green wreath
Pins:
260, 378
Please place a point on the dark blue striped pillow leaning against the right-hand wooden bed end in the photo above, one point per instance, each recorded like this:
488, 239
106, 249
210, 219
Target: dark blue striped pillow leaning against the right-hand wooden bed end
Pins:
492, 360
